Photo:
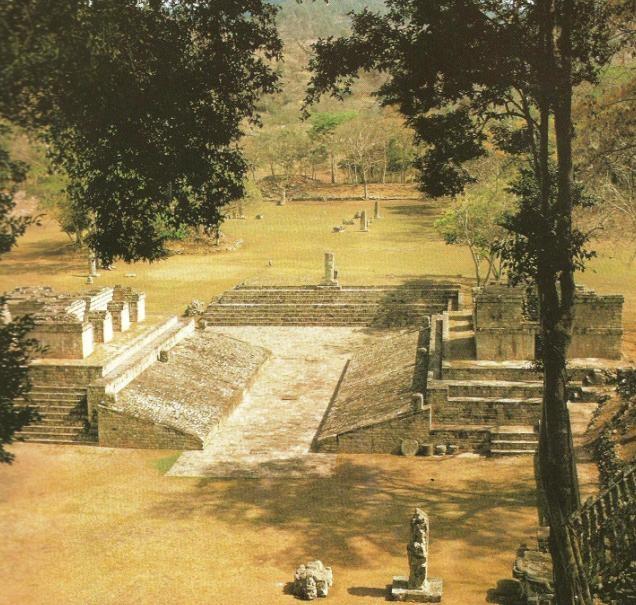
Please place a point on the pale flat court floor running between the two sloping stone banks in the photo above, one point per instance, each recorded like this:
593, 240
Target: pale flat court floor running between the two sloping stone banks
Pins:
271, 431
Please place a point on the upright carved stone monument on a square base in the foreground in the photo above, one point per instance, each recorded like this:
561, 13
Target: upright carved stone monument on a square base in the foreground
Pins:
418, 587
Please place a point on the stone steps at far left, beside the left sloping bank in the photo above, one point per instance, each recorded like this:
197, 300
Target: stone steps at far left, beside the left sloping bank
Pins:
63, 417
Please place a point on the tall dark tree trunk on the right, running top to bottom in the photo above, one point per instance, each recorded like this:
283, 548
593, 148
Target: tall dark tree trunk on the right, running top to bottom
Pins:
555, 284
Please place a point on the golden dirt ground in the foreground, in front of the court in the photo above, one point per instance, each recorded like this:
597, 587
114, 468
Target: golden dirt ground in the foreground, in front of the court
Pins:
84, 525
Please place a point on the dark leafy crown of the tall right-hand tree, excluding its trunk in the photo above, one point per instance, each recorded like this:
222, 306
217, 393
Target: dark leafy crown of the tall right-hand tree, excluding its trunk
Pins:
496, 62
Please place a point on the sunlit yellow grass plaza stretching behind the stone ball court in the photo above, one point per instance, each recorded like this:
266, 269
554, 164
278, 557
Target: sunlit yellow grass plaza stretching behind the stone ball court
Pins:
401, 246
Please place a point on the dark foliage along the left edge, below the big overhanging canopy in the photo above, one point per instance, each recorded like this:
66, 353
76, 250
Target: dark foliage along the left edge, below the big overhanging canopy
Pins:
16, 347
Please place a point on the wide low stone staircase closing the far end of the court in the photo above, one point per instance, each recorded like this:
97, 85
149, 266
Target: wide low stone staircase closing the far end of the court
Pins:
331, 305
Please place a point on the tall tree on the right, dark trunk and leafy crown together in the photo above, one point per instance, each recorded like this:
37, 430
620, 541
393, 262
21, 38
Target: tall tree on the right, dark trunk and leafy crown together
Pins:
466, 72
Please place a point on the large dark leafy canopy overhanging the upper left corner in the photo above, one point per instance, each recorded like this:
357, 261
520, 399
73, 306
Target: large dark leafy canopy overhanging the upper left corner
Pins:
142, 104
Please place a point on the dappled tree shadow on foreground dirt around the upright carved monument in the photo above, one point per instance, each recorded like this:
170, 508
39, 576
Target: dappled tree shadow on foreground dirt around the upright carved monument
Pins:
360, 501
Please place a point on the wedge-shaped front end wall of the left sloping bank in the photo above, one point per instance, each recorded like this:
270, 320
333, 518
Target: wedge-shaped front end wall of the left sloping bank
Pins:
123, 430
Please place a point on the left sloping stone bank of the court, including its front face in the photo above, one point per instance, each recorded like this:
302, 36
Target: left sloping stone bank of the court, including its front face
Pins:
204, 378
